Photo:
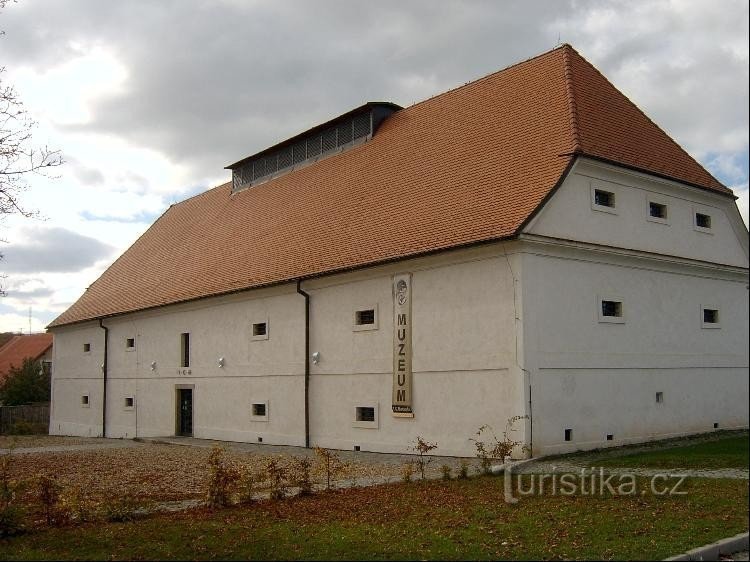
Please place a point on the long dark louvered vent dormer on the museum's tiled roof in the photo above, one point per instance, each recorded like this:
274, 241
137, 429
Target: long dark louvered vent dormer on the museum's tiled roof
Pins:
319, 142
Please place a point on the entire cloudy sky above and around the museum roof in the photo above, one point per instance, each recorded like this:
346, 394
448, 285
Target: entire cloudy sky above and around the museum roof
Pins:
148, 101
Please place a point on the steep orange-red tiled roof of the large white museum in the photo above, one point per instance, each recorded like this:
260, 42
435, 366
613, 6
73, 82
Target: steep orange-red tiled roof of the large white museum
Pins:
469, 165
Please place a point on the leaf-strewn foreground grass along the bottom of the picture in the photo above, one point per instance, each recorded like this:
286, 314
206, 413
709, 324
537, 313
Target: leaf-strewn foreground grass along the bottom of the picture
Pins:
465, 519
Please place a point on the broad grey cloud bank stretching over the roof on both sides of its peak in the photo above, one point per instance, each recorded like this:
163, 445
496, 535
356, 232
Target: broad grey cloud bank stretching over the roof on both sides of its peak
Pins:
210, 83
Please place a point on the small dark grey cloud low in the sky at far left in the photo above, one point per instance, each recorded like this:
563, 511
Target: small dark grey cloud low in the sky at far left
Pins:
53, 250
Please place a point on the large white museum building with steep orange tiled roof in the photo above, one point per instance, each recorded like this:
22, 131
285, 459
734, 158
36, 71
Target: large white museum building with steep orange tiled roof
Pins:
526, 244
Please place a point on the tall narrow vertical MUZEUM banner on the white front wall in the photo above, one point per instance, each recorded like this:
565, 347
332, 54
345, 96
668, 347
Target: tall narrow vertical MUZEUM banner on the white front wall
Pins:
401, 400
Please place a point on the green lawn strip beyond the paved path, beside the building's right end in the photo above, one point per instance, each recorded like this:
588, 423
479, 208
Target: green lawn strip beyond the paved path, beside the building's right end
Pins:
729, 452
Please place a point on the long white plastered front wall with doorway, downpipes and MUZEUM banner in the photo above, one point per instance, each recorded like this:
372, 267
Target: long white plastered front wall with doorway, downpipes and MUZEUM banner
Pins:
464, 360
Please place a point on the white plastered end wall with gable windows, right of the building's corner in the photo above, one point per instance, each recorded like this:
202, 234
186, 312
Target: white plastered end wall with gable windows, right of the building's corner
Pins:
599, 378
